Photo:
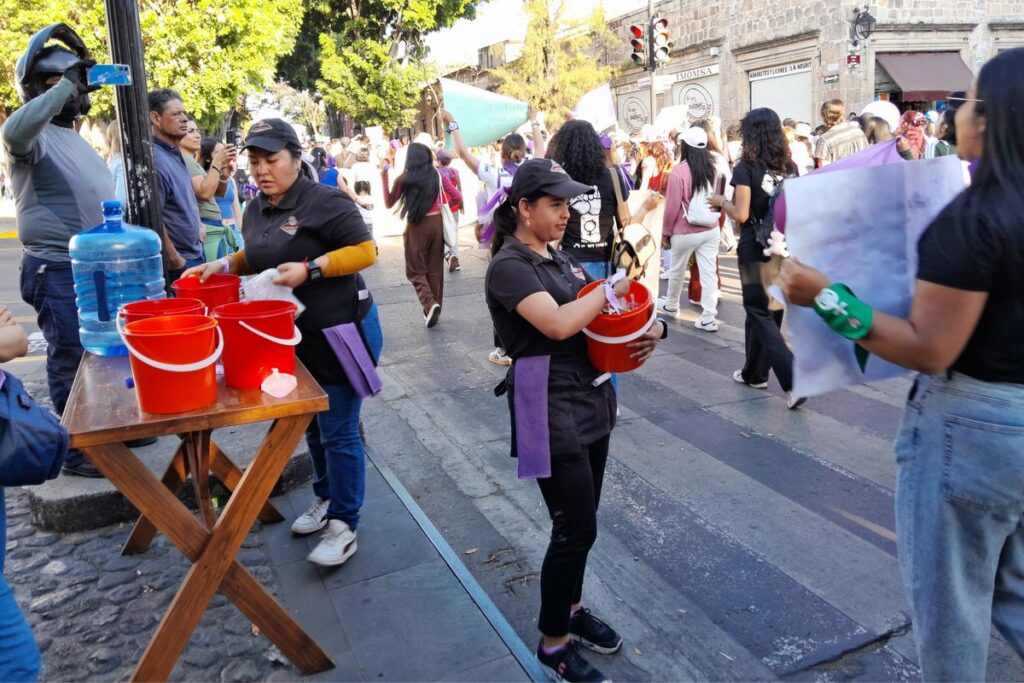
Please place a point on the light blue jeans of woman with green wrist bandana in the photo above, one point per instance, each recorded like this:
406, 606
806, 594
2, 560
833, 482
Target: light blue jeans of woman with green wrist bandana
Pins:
960, 501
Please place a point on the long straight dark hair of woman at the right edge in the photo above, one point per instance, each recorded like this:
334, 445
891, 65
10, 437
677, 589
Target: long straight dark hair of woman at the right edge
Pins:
997, 193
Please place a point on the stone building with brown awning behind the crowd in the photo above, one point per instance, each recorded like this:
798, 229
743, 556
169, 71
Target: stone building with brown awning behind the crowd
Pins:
793, 55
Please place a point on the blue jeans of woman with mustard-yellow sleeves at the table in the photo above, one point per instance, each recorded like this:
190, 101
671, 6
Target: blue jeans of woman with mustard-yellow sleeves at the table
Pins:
335, 446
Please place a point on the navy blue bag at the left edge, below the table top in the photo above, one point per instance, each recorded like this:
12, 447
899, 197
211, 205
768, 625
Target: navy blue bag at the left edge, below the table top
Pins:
33, 444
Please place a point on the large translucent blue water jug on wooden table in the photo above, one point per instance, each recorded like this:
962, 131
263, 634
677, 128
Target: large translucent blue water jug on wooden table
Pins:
114, 264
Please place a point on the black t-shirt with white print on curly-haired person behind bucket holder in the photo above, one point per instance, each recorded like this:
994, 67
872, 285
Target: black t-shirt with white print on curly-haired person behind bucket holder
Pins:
588, 234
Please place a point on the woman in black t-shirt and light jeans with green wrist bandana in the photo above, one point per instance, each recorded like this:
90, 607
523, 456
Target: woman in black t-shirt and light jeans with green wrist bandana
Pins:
960, 490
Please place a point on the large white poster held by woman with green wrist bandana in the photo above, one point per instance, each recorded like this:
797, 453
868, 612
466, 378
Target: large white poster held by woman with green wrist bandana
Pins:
865, 236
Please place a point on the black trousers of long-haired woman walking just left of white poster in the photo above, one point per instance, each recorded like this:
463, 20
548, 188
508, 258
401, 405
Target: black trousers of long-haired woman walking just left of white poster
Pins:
765, 347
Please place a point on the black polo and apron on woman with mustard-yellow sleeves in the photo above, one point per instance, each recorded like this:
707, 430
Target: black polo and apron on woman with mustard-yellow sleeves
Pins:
309, 222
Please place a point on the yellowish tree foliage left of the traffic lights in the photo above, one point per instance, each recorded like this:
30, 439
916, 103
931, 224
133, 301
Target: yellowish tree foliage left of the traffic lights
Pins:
562, 59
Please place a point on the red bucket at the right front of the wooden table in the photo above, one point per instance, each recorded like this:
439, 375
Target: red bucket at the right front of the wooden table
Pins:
259, 337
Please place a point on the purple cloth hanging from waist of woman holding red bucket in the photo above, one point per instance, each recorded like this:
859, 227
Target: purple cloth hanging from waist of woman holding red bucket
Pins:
533, 439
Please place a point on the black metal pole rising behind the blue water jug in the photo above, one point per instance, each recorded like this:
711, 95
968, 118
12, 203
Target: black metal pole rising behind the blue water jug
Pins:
134, 112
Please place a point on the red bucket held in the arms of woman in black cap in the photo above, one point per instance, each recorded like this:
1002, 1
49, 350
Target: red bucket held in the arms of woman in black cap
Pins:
609, 334
